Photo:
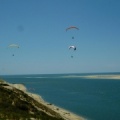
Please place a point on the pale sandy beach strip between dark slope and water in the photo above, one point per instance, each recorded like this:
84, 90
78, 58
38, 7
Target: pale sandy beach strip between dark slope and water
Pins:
66, 114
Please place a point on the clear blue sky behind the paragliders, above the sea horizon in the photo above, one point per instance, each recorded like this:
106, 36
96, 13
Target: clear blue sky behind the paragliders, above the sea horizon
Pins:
39, 28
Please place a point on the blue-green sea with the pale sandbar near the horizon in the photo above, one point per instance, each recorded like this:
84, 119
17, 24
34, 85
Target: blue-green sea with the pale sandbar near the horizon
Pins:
94, 98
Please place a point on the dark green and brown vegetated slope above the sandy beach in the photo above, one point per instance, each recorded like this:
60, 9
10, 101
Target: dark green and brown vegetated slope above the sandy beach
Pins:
17, 105
